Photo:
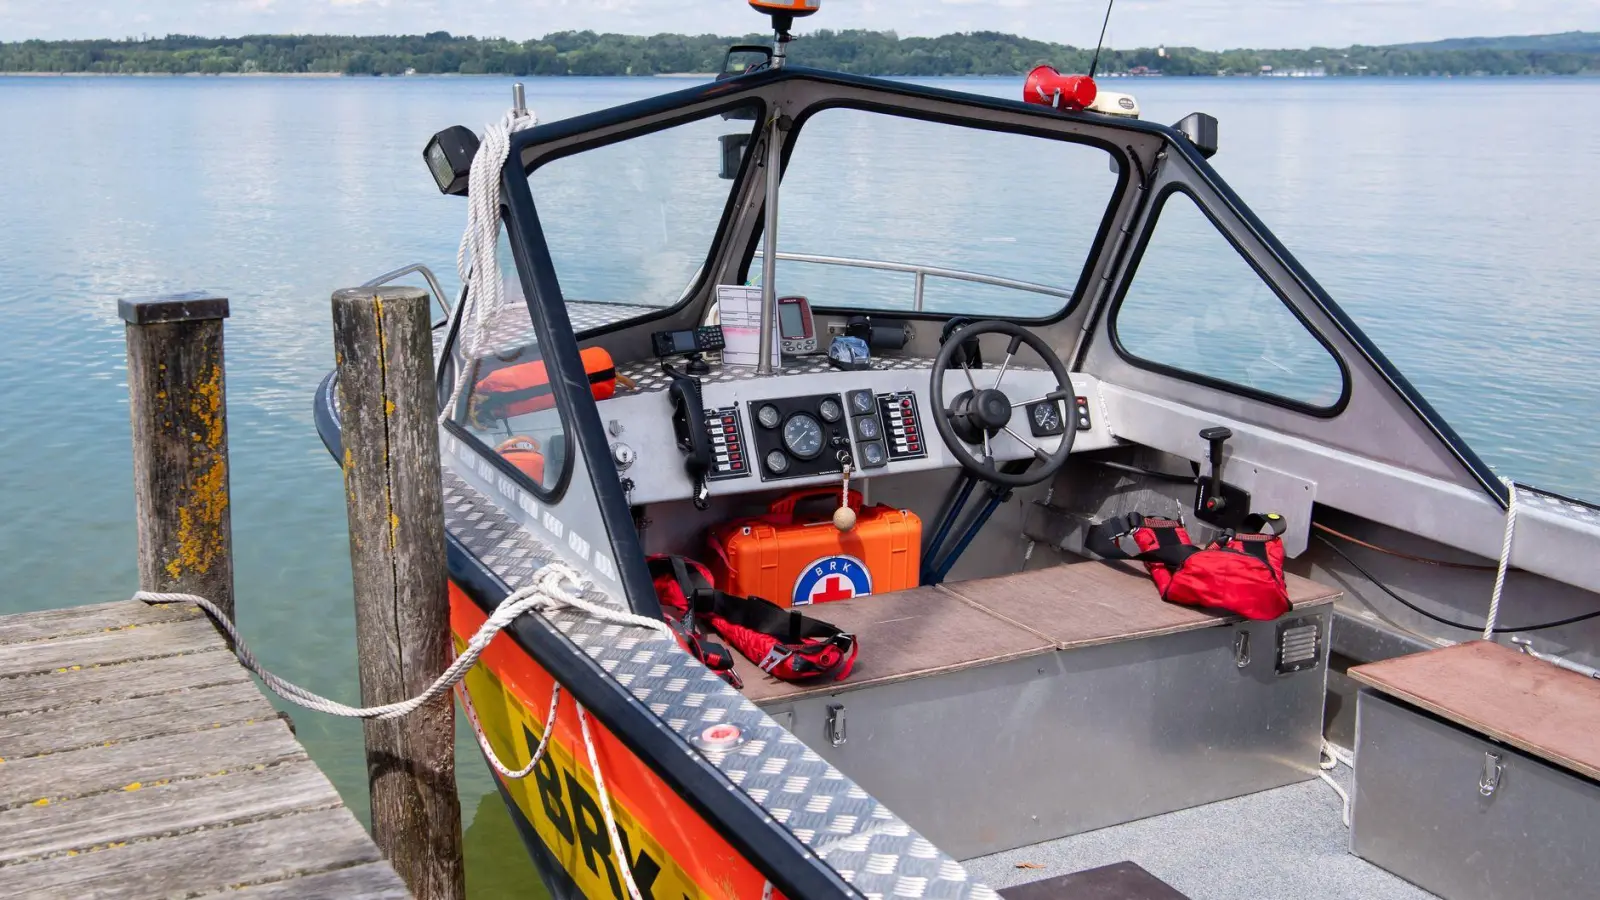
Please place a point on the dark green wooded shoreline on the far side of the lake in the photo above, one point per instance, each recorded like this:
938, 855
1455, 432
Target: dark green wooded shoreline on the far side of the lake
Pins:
862, 52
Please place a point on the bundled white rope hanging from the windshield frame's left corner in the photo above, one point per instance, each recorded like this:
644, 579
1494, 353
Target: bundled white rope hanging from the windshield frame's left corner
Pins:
478, 255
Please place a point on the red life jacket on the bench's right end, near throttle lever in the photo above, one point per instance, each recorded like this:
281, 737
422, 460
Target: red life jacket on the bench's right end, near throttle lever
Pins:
1239, 573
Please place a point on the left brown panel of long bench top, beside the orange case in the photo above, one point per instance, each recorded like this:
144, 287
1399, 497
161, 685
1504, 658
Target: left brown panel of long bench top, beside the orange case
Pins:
905, 635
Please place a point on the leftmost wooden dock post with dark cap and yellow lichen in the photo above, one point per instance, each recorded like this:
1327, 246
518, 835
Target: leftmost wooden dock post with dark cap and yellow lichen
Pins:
180, 444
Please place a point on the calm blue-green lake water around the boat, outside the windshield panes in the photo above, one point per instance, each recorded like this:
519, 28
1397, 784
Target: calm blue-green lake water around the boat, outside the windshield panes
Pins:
1457, 220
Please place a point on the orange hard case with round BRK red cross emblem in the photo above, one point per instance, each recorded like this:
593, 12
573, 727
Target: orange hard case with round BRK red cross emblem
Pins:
798, 561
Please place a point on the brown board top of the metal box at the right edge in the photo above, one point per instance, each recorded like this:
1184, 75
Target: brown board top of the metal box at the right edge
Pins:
1503, 694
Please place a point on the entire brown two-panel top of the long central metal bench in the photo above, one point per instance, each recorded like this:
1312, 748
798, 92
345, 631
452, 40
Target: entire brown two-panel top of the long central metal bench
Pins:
956, 627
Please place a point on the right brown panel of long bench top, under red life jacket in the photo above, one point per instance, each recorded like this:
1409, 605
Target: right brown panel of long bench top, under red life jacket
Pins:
1092, 603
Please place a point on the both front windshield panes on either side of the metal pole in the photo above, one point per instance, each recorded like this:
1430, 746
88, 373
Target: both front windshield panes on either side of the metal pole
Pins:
879, 211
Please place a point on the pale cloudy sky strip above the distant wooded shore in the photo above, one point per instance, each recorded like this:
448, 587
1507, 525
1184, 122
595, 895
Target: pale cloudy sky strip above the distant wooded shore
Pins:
1212, 25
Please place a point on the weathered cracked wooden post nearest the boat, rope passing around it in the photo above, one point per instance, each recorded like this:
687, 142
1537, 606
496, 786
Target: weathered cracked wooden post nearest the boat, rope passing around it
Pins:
388, 422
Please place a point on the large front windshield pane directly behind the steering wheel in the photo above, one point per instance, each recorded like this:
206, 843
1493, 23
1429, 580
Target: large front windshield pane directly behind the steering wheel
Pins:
879, 212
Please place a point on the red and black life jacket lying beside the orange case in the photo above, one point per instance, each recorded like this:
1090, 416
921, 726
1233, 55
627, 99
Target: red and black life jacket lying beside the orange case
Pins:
783, 643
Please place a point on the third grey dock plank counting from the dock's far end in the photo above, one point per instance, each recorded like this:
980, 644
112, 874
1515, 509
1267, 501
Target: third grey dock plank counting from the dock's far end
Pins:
119, 681
